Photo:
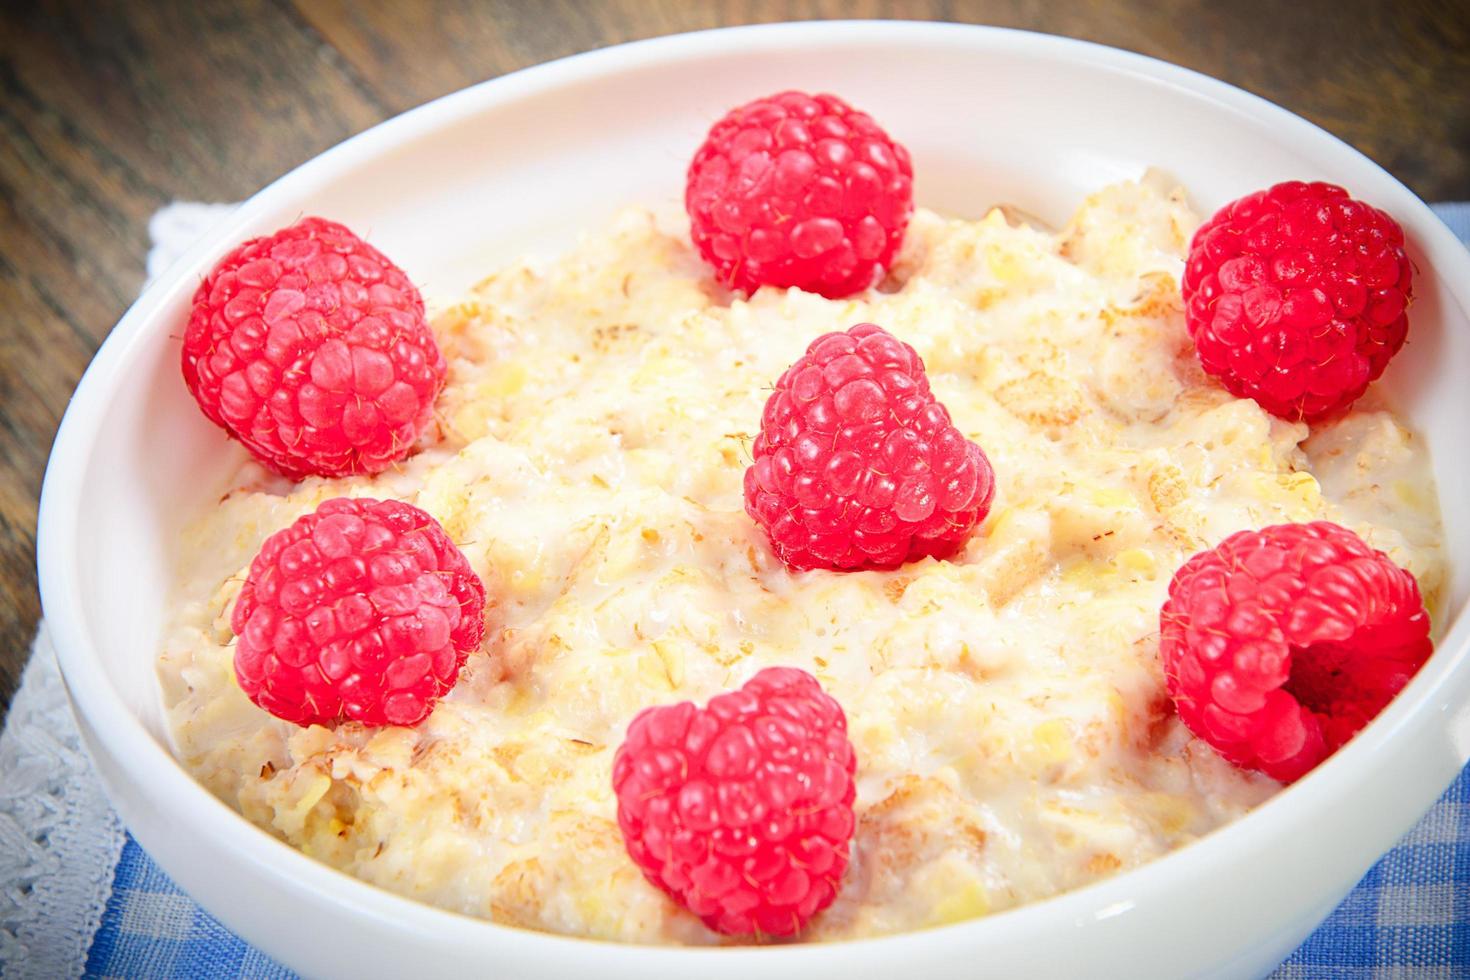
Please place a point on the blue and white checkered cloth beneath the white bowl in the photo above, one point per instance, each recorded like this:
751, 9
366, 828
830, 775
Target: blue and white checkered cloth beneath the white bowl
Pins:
1409, 918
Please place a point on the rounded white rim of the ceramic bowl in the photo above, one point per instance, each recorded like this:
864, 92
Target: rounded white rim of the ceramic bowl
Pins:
1443, 684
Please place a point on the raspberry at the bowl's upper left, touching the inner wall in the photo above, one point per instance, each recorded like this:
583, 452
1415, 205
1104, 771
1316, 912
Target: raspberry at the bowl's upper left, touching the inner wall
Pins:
312, 349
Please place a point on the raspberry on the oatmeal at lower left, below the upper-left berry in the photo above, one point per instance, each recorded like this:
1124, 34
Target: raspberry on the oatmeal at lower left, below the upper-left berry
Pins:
362, 610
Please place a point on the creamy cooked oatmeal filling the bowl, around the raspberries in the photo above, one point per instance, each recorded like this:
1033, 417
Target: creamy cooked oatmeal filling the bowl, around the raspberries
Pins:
1008, 709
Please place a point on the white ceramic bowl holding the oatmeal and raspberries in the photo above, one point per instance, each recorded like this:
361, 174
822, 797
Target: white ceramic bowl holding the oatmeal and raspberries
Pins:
521, 164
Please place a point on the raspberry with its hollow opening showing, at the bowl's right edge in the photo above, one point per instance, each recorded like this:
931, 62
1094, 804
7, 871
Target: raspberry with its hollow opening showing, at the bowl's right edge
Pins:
1281, 644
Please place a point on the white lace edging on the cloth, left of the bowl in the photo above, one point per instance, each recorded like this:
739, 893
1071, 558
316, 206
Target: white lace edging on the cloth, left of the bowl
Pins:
60, 838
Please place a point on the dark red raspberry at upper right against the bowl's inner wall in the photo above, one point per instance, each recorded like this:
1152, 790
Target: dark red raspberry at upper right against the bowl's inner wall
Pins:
1296, 298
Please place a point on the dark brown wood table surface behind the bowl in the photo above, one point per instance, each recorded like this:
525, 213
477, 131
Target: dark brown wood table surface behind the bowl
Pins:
112, 109
